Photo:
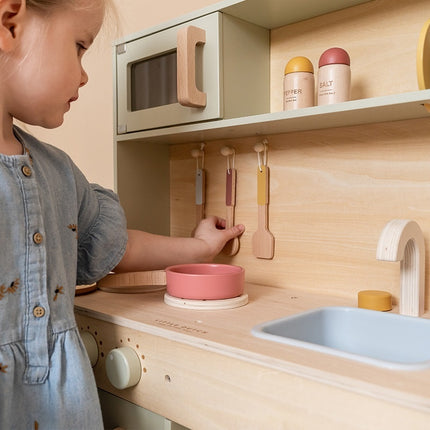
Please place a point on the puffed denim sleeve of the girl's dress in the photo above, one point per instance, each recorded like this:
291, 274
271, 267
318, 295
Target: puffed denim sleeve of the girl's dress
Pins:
102, 234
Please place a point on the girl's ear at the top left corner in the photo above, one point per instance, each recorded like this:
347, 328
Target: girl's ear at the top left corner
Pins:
11, 14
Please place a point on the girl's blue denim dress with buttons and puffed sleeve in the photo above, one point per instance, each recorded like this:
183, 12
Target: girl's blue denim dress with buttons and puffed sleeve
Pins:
56, 231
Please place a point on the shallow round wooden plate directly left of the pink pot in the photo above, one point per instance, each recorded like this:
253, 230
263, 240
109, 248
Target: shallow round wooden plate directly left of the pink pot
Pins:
133, 282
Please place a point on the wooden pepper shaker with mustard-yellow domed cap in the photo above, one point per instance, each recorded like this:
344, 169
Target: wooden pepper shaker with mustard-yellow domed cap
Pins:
299, 84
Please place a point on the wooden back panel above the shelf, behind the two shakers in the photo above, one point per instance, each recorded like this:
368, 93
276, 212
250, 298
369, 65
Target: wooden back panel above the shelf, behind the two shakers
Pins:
380, 36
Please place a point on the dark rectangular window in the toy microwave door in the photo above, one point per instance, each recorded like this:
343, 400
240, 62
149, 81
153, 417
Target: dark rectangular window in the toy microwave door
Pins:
153, 82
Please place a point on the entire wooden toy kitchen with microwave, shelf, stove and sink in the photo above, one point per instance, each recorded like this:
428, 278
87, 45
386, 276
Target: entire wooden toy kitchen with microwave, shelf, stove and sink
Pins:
343, 215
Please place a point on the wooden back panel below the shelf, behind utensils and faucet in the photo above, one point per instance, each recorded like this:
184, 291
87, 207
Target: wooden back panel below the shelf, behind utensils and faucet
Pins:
331, 194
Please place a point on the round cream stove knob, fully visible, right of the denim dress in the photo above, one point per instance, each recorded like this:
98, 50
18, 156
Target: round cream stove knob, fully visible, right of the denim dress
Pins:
123, 367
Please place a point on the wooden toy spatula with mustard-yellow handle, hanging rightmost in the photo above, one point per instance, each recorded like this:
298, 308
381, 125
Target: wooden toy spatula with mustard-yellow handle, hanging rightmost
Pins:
263, 241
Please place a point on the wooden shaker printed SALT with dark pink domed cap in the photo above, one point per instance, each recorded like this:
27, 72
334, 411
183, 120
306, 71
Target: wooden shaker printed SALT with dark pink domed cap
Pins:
334, 77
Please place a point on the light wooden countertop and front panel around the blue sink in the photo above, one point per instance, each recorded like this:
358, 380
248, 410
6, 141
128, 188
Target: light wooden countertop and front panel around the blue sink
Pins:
204, 369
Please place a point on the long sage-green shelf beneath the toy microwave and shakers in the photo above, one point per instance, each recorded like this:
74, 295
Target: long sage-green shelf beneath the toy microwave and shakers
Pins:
357, 112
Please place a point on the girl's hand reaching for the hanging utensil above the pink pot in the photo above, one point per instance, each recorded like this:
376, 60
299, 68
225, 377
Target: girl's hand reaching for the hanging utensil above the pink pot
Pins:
212, 232
